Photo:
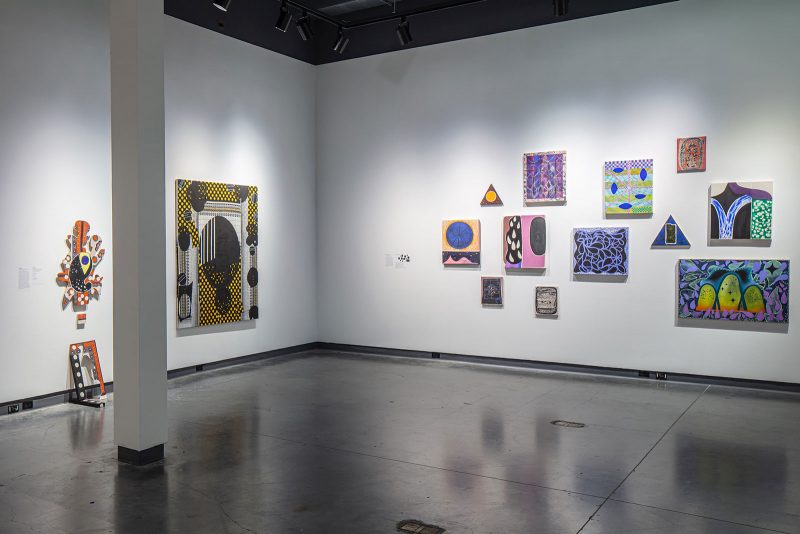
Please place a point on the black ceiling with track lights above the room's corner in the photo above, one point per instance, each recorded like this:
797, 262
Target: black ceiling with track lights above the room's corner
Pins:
371, 25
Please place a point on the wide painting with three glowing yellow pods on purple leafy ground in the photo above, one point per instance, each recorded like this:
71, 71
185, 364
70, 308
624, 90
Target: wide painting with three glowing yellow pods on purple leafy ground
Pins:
734, 290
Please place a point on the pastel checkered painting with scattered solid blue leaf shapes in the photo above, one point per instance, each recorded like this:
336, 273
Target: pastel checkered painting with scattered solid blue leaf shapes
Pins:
629, 187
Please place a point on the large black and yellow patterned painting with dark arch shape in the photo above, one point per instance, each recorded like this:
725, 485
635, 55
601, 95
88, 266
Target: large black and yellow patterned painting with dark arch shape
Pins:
217, 252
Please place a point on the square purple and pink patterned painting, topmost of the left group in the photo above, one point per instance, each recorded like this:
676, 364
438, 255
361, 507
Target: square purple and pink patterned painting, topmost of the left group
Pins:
544, 177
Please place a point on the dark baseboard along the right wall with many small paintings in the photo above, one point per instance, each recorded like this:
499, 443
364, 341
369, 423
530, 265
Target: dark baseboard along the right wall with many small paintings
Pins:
641, 374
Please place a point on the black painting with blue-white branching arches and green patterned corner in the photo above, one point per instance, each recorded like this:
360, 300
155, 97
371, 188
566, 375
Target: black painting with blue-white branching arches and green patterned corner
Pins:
741, 210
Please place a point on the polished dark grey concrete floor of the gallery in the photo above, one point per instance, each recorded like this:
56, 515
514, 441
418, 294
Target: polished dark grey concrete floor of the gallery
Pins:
337, 443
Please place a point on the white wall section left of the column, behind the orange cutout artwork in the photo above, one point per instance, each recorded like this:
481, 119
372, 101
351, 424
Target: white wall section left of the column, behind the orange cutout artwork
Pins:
55, 168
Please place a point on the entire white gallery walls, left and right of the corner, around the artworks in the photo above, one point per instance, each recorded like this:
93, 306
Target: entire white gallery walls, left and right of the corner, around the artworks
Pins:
364, 158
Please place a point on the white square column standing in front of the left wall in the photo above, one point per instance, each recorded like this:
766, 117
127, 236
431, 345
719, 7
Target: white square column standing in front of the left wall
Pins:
139, 227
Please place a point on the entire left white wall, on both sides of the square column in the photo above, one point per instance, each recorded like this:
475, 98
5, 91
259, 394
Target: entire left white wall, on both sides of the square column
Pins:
234, 113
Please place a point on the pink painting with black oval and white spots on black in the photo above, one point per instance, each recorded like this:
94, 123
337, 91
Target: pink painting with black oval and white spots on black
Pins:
525, 242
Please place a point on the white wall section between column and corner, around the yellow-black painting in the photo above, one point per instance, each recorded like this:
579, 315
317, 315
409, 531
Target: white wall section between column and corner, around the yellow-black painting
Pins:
236, 113
